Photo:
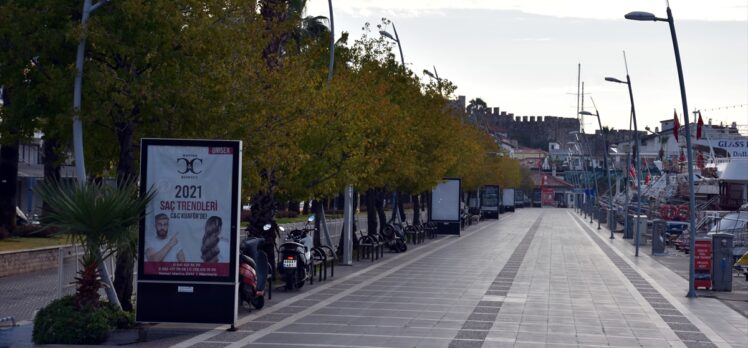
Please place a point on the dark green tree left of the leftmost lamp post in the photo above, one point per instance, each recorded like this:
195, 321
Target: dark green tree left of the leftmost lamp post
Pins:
36, 56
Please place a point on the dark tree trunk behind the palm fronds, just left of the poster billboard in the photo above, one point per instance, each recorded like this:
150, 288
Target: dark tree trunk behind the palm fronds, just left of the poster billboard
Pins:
125, 261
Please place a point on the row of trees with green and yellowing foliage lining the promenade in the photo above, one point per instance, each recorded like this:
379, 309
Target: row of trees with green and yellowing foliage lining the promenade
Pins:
253, 70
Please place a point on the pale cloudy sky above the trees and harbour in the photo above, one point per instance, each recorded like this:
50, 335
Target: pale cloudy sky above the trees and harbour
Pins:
522, 55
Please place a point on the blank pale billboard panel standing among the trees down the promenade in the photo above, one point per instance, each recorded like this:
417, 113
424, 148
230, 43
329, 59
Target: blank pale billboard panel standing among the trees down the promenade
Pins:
445, 206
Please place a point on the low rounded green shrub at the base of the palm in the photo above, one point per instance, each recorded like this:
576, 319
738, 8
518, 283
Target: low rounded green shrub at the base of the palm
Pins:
61, 322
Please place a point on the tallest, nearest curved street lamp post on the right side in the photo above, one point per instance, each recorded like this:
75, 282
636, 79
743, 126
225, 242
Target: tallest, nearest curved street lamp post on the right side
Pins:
645, 16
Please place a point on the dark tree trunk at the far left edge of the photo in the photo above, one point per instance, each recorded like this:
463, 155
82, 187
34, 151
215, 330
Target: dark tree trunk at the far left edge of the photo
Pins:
8, 182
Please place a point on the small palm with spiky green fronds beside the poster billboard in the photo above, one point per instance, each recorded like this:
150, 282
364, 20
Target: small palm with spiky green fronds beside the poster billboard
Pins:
101, 218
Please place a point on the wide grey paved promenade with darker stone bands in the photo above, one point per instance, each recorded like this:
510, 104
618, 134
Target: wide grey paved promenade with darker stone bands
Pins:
535, 278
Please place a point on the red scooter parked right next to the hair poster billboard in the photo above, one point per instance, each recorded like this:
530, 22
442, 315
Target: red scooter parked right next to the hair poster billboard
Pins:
253, 273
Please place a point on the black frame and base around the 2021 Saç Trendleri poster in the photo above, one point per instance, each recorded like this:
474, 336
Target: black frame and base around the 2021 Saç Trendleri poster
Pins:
206, 299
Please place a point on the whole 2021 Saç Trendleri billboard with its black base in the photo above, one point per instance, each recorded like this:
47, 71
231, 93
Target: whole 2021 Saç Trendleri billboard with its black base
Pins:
189, 243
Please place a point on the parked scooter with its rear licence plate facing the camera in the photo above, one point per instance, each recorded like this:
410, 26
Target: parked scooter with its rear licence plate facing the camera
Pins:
295, 256
